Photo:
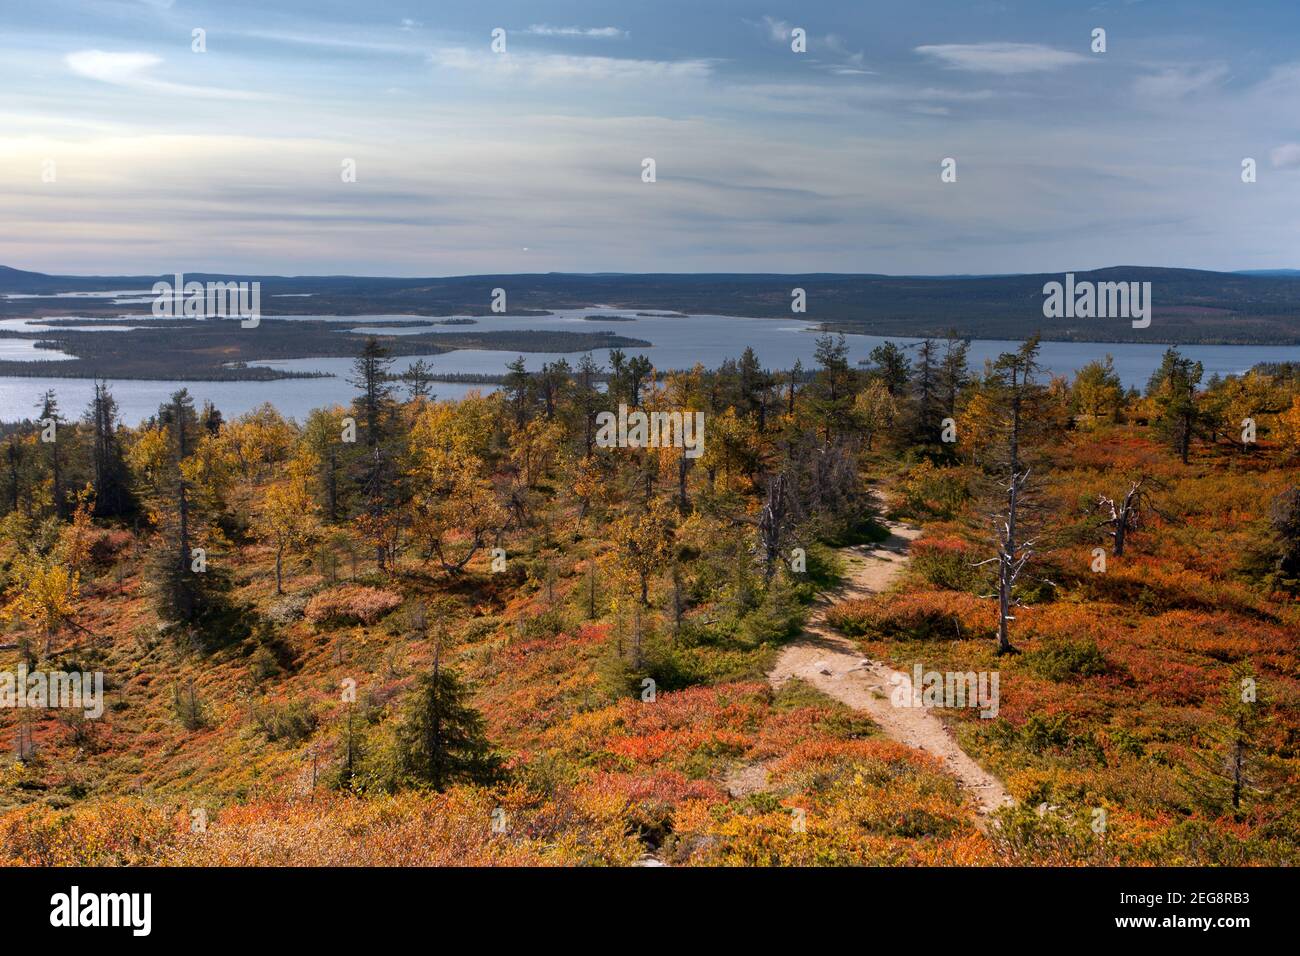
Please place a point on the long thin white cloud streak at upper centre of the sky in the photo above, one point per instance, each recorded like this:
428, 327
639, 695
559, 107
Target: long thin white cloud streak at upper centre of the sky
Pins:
554, 67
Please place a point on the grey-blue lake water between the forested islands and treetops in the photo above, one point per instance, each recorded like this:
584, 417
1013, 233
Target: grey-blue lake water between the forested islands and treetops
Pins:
679, 343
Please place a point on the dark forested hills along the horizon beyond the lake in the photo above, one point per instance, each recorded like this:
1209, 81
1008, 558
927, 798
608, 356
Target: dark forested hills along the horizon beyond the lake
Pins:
1191, 306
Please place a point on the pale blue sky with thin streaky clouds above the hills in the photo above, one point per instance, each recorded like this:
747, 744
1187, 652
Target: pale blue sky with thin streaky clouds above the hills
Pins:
127, 150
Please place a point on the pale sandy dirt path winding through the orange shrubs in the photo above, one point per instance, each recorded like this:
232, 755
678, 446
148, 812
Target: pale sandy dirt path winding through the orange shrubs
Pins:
834, 665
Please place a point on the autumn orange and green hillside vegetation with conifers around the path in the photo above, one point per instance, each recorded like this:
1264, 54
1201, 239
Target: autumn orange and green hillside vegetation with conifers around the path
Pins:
413, 631
